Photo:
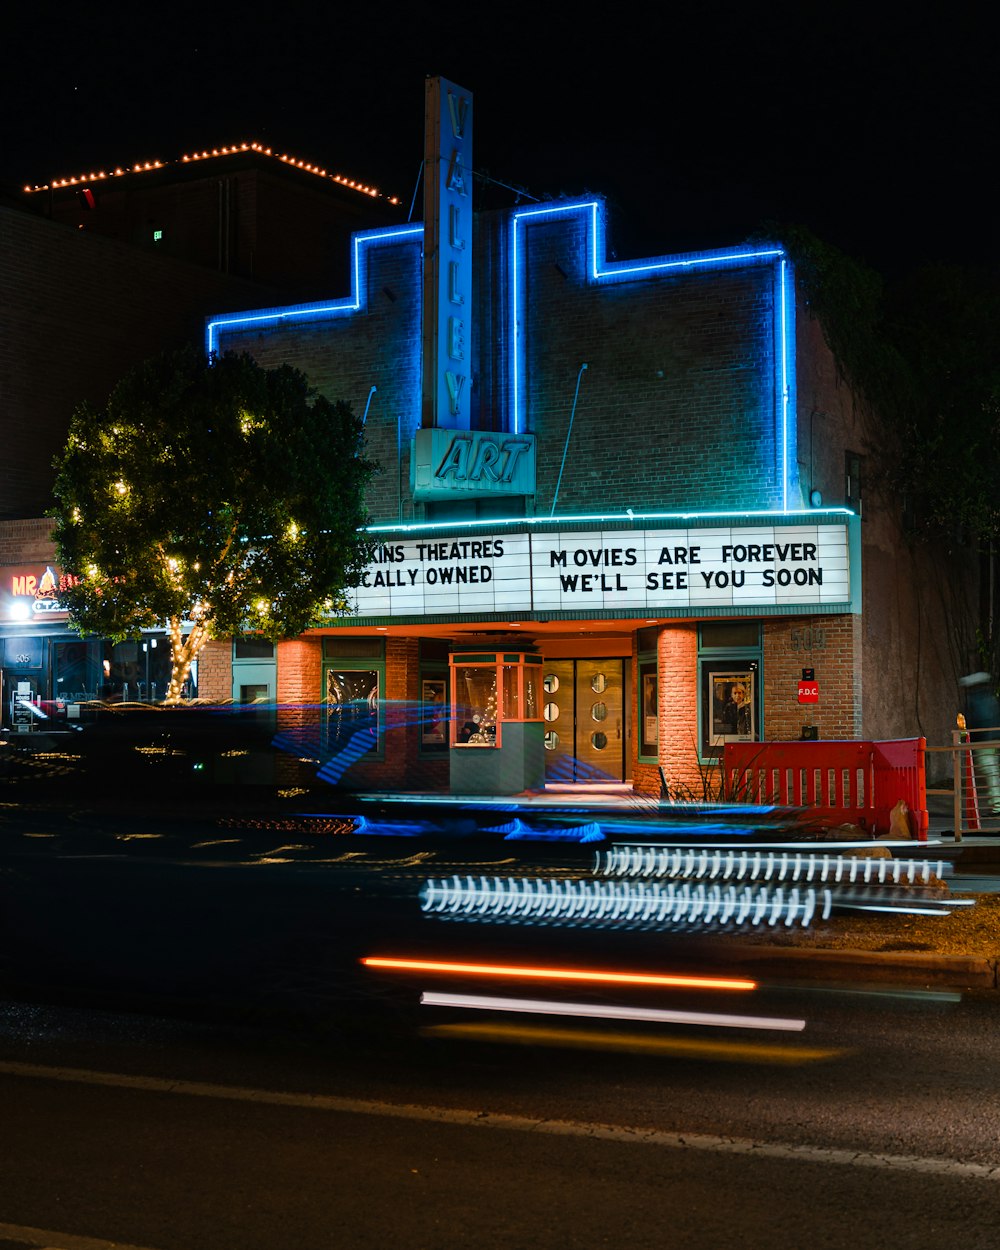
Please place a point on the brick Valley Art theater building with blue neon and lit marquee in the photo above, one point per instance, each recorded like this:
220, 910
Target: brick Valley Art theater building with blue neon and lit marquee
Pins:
598, 554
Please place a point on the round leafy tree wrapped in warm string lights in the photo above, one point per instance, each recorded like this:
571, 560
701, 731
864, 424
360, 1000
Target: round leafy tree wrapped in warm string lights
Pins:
214, 498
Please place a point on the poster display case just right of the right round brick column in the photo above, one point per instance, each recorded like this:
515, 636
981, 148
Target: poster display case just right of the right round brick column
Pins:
729, 683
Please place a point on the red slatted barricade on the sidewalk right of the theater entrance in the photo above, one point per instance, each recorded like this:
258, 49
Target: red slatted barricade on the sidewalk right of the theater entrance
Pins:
844, 783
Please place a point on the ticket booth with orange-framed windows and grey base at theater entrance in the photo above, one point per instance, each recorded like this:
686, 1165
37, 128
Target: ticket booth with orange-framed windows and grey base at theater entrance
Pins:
497, 732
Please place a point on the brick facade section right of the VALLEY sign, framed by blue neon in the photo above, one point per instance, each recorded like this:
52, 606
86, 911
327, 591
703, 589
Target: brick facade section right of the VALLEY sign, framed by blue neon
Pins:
678, 403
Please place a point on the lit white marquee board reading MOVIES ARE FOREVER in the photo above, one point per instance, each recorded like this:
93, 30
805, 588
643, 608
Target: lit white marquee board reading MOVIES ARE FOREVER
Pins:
624, 573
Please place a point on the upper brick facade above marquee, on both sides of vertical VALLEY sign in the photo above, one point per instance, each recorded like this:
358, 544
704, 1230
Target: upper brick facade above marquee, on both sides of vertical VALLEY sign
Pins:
684, 366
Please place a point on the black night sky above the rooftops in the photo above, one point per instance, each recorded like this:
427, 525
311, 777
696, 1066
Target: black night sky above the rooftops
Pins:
877, 129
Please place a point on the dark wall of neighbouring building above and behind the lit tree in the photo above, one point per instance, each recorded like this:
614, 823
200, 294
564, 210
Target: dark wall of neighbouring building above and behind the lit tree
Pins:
79, 312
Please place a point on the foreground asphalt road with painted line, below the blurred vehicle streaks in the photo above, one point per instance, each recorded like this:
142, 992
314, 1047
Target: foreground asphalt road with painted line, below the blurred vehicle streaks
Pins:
878, 1126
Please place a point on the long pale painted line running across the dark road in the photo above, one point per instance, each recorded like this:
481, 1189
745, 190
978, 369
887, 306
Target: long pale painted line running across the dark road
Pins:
509, 1123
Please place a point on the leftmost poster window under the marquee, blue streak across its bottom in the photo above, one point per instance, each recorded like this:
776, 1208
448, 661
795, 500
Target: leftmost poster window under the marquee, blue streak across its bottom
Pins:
353, 686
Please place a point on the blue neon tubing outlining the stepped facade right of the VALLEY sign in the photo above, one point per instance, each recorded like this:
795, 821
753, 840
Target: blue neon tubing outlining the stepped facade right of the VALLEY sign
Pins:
601, 271
